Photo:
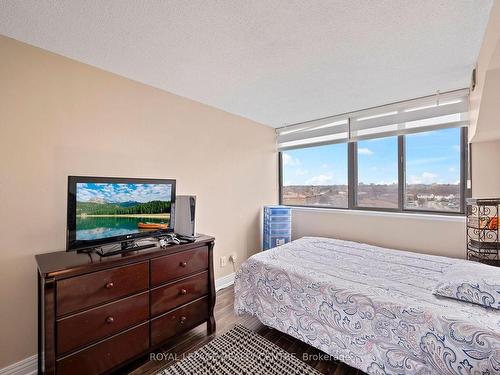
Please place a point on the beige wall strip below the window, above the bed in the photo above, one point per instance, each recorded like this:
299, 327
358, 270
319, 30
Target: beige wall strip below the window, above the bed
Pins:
438, 235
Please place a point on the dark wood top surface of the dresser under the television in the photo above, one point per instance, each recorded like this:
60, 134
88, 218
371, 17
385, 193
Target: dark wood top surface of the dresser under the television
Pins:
62, 264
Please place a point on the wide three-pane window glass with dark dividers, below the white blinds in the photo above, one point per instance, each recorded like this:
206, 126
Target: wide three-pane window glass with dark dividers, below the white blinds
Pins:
411, 173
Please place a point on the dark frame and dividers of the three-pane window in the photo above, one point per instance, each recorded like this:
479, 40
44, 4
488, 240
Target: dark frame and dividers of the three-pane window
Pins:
352, 181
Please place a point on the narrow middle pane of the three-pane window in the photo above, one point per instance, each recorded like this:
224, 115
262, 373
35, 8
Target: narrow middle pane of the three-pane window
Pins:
377, 173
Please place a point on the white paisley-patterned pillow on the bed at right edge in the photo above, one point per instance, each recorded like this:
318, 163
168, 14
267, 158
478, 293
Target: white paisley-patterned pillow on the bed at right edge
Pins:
471, 282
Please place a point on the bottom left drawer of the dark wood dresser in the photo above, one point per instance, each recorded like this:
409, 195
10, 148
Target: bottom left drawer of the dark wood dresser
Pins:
107, 354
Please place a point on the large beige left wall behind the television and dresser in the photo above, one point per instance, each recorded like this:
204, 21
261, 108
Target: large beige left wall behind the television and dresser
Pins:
59, 117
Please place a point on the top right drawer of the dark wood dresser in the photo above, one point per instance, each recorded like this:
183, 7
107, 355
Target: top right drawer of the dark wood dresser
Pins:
174, 266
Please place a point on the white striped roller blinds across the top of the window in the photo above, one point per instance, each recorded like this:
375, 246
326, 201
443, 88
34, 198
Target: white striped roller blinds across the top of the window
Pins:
428, 113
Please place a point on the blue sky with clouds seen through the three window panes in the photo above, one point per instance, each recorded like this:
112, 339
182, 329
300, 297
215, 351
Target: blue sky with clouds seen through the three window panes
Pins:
431, 157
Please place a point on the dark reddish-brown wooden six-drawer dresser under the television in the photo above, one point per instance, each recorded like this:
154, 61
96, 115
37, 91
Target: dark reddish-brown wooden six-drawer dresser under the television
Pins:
97, 314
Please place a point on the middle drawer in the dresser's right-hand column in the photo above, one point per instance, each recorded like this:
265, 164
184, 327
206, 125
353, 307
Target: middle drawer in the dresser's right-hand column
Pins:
178, 293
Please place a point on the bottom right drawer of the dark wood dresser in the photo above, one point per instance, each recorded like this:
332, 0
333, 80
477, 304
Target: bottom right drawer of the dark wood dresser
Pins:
178, 320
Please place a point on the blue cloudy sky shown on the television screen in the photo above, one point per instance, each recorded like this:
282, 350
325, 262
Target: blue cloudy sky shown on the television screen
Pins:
123, 192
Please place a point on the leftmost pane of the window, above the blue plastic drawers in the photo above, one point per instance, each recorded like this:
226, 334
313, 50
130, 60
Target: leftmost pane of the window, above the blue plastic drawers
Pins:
315, 176
